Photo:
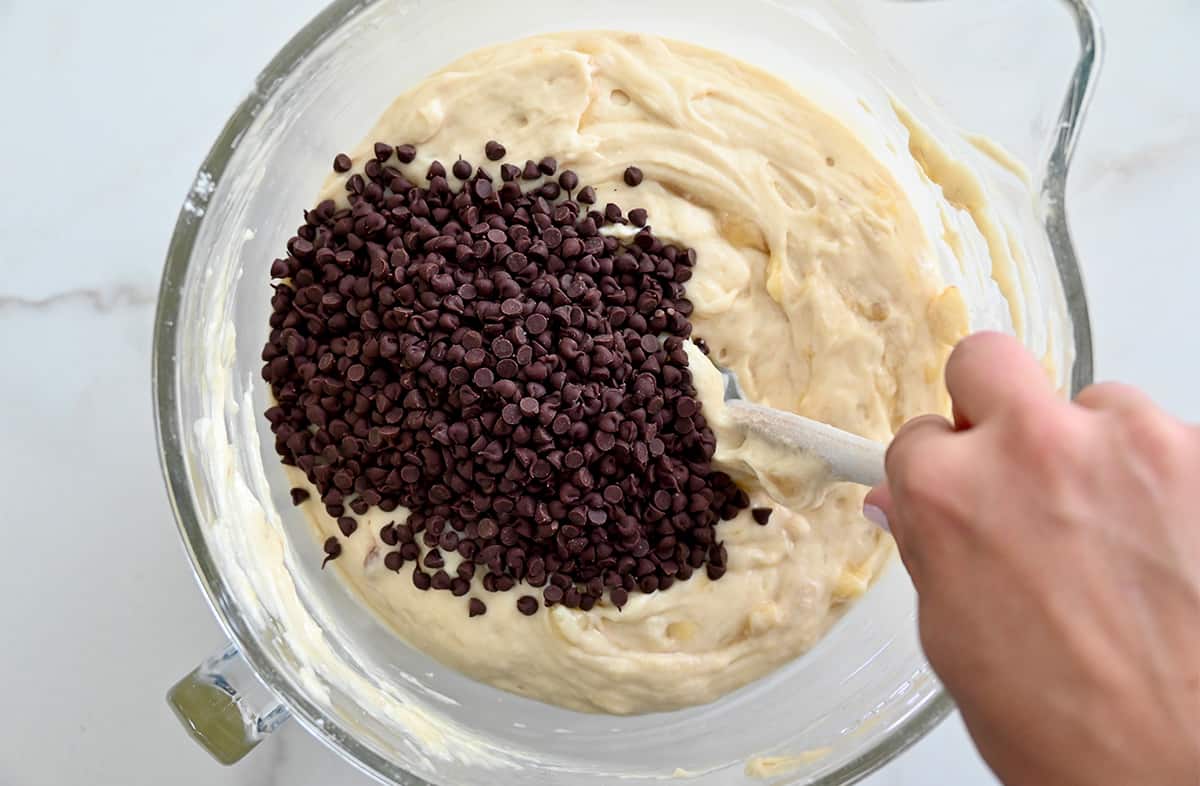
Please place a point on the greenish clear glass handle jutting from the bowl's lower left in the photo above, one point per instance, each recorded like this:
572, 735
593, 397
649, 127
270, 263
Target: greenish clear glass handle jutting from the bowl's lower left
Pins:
225, 709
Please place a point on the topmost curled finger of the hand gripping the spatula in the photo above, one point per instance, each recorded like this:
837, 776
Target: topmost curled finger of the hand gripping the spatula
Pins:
989, 371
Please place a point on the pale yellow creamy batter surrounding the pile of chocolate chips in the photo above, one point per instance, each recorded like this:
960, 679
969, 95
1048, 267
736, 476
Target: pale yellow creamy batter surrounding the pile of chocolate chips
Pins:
814, 283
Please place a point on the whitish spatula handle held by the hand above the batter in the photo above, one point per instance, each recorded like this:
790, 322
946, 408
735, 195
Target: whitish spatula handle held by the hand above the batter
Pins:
850, 458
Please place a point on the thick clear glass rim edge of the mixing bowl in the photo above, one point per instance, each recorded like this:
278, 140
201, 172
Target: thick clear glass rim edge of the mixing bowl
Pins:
171, 428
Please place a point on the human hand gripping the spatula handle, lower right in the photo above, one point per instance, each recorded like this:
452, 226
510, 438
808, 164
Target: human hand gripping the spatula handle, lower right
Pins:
1055, 549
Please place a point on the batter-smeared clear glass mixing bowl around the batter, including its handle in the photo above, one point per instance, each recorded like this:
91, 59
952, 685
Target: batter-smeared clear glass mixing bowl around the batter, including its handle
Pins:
305, 649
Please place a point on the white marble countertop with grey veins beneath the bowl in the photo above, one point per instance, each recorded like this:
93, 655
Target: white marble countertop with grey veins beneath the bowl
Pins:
109, 110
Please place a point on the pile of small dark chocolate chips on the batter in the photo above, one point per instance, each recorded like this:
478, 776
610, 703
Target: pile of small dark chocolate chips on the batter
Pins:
485, 357
